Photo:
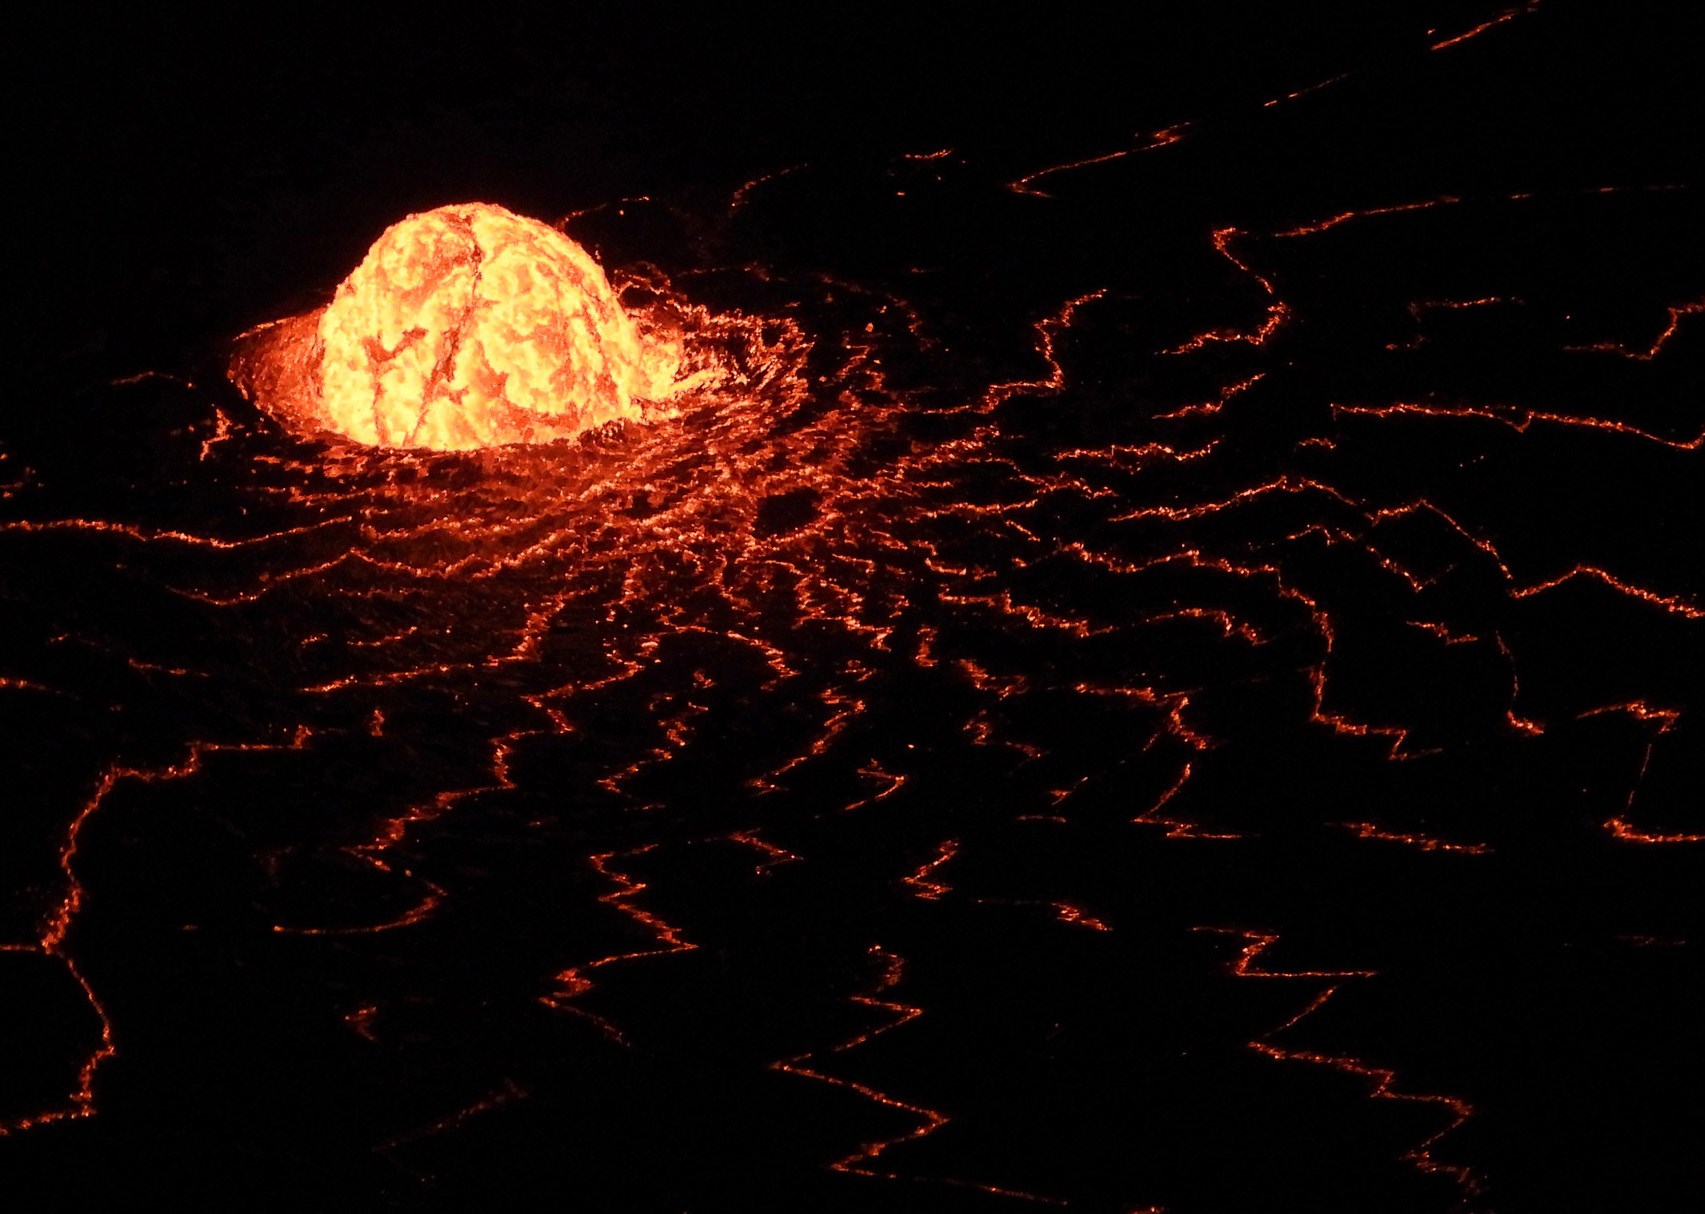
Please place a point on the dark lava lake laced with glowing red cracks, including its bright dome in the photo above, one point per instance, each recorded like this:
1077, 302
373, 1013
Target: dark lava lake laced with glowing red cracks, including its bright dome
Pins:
1184, 726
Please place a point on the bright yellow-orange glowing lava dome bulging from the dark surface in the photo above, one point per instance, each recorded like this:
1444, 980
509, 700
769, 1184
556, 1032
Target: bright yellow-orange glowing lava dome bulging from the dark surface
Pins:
465, 327
